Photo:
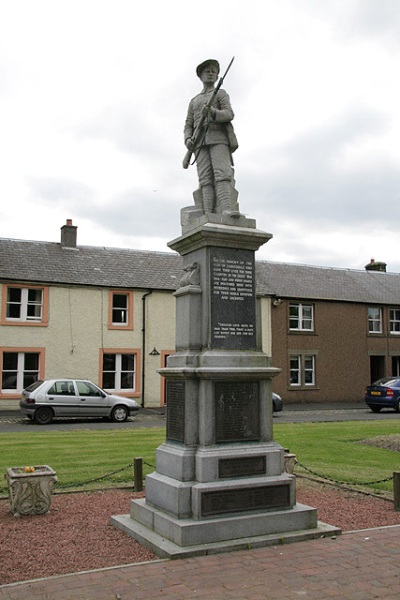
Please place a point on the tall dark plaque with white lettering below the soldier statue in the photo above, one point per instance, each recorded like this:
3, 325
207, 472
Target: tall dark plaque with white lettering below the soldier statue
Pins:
233, 308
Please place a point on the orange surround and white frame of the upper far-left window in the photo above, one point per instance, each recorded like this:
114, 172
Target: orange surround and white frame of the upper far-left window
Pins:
25, 303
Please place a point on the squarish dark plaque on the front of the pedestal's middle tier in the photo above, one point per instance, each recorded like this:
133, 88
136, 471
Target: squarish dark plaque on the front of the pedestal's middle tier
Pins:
236, 411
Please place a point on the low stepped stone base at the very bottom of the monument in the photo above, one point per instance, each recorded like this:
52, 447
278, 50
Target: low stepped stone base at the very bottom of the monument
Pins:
153, 529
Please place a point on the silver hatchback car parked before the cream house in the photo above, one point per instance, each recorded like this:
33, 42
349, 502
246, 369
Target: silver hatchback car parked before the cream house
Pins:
46, 399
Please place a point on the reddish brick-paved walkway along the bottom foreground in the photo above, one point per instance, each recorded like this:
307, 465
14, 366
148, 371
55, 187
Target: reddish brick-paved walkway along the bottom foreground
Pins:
360, 565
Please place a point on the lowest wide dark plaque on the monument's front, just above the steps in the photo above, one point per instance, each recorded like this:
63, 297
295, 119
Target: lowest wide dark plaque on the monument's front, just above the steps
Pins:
248, 499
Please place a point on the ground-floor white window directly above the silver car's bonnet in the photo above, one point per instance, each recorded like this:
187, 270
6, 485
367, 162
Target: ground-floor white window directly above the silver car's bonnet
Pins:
119, 372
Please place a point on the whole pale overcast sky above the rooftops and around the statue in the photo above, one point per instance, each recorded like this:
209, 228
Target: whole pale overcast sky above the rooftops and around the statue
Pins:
93, 98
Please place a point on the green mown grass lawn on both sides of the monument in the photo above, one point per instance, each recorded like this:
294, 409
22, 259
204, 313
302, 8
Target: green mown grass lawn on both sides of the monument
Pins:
333, 450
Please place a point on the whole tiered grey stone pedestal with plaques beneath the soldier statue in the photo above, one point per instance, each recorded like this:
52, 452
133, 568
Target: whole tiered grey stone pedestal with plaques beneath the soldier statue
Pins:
220, 481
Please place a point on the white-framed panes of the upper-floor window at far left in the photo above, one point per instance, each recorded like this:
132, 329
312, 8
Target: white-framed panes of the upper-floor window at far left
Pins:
24, 304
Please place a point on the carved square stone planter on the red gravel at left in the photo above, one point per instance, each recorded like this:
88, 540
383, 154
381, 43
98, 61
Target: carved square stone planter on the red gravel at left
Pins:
30, 489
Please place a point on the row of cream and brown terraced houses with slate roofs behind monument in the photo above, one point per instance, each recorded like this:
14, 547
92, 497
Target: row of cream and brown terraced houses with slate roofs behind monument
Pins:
108, 314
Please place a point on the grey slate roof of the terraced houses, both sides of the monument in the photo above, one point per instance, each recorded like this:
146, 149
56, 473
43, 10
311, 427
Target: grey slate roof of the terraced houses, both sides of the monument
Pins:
49, 262
